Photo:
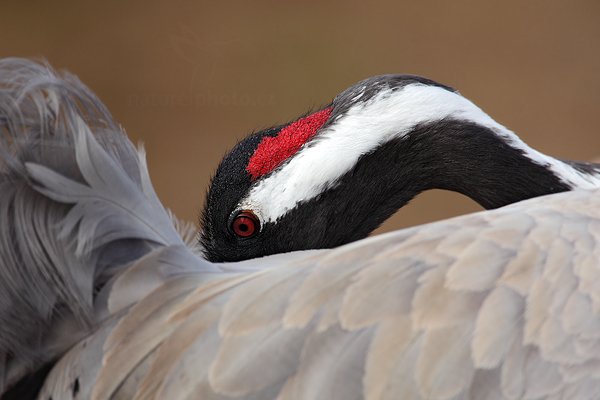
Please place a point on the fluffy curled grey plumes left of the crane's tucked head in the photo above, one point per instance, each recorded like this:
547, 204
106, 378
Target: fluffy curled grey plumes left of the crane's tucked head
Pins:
54, 257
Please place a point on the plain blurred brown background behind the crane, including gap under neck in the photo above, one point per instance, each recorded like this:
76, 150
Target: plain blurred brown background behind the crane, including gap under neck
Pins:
189, 78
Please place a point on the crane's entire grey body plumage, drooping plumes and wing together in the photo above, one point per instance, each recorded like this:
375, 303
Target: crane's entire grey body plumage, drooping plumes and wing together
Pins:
494, 305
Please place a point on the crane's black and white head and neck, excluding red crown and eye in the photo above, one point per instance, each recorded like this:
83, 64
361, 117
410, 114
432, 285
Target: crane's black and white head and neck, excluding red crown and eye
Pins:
387, 139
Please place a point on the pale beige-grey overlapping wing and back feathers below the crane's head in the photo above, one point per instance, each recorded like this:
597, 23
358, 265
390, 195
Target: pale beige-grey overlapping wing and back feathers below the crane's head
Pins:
387, 326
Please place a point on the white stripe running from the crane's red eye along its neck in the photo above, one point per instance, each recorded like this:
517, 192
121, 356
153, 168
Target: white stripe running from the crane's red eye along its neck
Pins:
391, 114
